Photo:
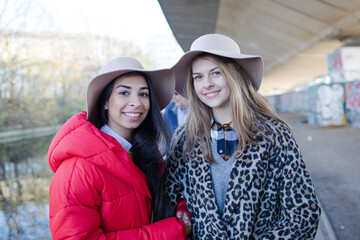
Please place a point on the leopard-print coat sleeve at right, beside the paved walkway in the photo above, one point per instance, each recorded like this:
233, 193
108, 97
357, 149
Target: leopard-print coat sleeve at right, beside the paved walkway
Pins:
300, 211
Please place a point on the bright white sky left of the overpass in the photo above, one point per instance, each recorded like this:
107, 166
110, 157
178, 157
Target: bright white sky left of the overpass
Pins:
138, 21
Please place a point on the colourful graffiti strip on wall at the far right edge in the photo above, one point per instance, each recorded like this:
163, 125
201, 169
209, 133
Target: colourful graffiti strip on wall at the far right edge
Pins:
353, 103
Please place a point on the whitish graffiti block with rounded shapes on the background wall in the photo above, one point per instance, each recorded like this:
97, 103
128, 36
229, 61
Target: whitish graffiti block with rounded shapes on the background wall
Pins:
330, 106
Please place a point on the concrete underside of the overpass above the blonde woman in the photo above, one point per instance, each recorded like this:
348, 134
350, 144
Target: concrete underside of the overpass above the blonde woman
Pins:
292, 36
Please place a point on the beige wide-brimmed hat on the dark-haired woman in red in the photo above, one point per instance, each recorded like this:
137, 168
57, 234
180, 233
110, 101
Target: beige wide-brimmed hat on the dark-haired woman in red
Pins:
163, 82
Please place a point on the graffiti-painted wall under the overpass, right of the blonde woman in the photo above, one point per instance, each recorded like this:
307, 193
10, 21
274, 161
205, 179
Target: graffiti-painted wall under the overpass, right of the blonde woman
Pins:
331, 104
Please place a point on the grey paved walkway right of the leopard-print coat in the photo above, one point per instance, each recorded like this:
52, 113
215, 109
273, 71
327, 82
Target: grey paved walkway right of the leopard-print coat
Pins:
332, 156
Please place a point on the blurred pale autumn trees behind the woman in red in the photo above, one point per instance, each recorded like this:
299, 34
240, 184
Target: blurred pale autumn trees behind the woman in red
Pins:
43, 77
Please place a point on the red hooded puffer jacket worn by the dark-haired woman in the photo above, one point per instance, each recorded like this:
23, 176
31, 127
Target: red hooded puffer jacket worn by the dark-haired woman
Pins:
97, 192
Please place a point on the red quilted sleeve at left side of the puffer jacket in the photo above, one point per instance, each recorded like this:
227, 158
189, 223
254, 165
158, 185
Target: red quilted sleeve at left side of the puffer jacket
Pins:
74, 203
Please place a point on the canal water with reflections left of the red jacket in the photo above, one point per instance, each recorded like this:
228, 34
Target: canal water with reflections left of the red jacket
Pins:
24, 190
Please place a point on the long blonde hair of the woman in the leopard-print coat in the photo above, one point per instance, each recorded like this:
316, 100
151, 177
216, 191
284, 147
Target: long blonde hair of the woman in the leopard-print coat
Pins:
250, 109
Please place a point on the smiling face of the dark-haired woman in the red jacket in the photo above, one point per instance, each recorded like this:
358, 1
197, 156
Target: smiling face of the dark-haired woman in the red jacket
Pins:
128, 104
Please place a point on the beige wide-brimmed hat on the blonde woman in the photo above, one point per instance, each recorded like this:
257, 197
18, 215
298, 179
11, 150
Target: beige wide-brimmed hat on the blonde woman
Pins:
219, 45
